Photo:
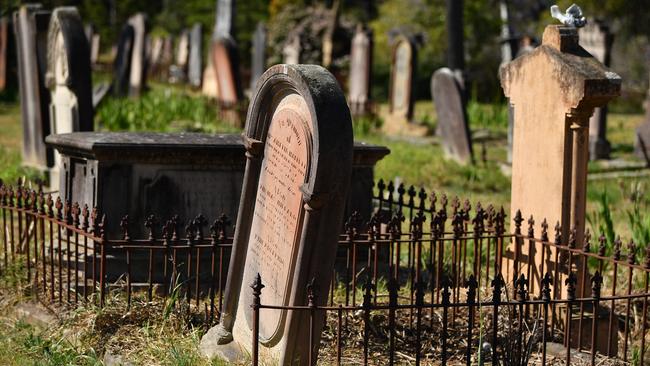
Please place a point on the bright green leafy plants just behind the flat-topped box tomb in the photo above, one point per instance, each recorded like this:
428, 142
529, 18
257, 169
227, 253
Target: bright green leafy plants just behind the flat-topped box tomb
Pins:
162, 110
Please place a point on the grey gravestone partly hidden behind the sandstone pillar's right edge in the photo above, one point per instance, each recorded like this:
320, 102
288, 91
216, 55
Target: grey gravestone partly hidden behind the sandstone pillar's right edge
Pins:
597, 40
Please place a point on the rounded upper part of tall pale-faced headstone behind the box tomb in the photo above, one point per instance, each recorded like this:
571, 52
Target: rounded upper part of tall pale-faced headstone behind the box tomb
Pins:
76, 71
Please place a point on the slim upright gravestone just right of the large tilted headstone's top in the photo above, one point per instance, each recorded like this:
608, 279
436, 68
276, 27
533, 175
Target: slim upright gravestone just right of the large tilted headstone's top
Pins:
360, 71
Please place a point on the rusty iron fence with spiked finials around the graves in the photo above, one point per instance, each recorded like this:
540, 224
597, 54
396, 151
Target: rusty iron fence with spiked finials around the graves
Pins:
425, 280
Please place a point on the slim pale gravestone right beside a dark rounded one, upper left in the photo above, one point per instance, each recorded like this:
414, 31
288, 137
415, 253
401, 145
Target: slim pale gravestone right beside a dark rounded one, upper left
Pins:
138, 77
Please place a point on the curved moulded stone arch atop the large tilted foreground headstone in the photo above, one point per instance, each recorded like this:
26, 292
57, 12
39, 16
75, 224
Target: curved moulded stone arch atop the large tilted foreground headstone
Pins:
331, 124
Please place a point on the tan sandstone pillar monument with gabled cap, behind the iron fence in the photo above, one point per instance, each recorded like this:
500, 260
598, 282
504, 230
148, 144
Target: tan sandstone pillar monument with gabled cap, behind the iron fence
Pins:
554, 90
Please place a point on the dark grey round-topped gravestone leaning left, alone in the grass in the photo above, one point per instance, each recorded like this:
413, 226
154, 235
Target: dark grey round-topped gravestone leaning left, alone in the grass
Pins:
453, 128
